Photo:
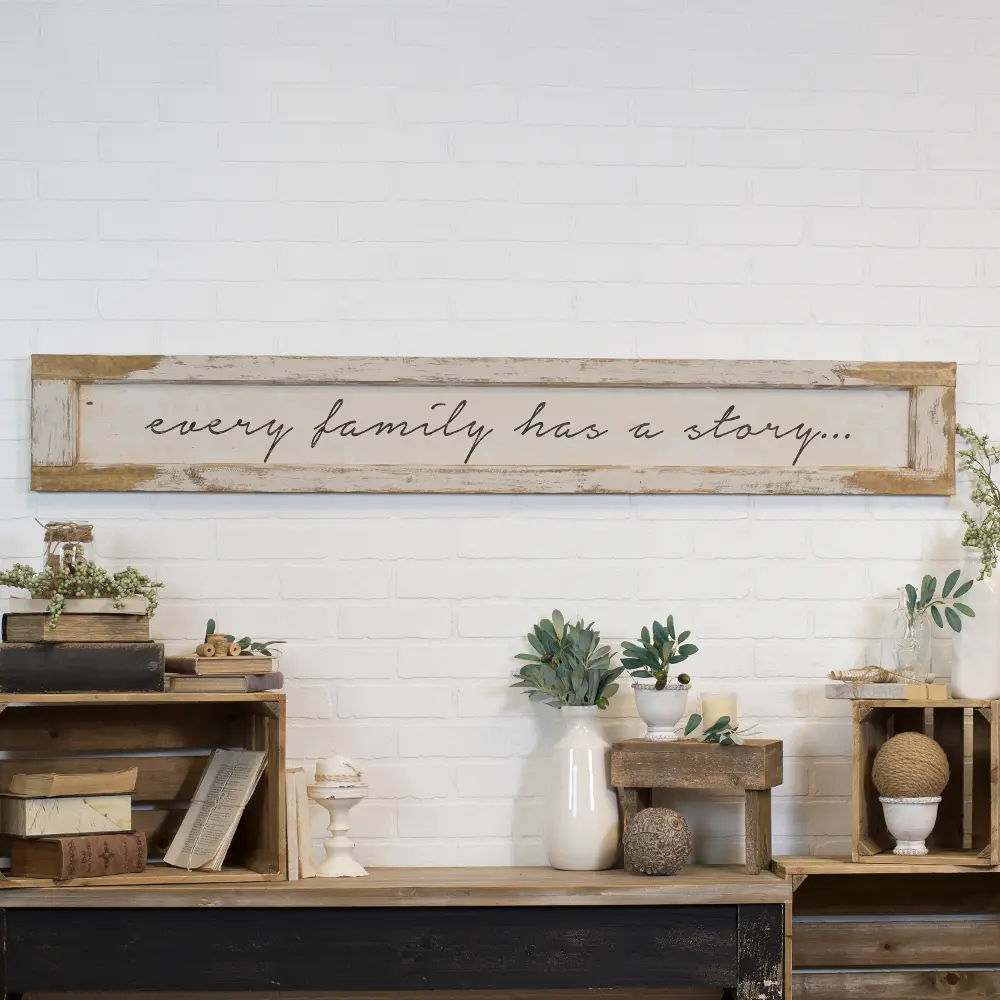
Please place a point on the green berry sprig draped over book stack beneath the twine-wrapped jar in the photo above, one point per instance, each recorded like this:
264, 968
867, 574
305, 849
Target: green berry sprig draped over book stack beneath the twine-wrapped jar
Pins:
81, 581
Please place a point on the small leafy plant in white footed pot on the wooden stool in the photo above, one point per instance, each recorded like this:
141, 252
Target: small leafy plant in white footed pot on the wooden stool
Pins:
659, 701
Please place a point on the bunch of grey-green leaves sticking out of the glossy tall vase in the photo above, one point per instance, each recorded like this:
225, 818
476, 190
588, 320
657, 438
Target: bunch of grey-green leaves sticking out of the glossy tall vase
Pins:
568, 665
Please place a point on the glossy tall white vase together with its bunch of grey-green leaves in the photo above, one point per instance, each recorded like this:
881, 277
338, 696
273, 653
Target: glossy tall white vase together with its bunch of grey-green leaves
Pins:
570, 670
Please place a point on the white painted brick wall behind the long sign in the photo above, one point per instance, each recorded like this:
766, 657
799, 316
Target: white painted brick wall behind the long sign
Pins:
729, 178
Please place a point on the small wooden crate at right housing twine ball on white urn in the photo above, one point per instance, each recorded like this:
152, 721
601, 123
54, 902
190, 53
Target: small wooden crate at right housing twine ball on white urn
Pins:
967, 731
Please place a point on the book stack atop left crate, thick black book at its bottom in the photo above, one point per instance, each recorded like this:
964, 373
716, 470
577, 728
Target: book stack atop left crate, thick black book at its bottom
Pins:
93, 647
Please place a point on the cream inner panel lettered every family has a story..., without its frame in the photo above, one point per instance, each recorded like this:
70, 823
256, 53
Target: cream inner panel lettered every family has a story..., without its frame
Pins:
488, 426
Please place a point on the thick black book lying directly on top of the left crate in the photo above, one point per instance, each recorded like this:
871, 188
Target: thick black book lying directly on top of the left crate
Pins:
50, 668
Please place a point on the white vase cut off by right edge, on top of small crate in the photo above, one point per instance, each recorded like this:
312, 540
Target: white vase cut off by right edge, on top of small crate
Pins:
976, 669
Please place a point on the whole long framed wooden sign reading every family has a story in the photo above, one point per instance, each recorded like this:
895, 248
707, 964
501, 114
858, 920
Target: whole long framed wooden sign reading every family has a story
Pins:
490, 425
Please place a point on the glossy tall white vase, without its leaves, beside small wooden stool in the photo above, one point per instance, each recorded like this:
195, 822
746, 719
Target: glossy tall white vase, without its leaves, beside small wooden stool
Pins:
581, 814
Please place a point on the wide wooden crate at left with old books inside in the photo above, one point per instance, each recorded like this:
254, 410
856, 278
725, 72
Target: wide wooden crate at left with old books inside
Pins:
168, 738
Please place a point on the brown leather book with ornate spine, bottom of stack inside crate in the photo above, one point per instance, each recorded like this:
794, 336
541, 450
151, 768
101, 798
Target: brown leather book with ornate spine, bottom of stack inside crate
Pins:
78, 857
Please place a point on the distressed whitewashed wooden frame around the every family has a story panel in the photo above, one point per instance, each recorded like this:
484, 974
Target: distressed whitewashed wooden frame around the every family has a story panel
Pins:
57, 381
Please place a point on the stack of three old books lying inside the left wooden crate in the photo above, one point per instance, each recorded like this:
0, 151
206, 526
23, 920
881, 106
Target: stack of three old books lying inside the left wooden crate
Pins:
66, 826
